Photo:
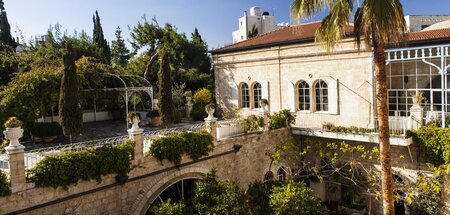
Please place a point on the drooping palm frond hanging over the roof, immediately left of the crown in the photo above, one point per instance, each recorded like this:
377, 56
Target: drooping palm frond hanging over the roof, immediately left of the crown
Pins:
332, 29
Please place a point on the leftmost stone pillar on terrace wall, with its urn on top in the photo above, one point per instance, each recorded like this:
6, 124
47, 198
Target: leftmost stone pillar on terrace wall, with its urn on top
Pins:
16, 157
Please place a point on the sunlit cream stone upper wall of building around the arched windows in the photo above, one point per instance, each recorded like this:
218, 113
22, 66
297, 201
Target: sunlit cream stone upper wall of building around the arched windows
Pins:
347, 72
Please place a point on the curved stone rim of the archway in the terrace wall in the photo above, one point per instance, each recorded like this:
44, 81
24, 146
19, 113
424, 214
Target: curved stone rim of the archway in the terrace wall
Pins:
159, 184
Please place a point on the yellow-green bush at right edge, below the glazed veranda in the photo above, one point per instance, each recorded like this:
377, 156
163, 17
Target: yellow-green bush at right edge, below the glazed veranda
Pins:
434, 144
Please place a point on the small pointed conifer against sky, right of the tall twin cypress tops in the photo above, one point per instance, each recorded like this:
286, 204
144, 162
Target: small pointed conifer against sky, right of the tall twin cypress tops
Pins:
119, 52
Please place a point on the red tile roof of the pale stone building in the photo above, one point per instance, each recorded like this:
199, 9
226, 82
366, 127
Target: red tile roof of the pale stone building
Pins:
306, 33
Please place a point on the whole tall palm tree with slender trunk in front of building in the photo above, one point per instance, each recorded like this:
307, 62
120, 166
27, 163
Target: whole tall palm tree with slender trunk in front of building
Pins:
377, 22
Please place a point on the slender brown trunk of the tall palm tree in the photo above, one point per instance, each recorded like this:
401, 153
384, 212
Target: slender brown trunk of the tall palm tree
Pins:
387, 180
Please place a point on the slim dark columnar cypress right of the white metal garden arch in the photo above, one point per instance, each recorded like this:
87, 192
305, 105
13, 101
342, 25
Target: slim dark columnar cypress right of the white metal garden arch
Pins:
166, 109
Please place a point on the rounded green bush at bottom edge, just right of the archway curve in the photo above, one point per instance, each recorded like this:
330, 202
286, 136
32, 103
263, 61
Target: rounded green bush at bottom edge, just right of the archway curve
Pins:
219, 197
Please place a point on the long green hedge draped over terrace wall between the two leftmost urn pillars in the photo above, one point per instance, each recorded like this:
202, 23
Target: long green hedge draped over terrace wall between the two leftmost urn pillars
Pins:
71, 166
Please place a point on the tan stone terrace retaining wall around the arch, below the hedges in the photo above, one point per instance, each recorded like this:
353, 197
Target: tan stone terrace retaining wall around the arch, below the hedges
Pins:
147, 179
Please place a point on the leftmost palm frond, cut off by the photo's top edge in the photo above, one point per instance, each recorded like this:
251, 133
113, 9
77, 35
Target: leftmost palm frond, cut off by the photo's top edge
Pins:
308, 8
